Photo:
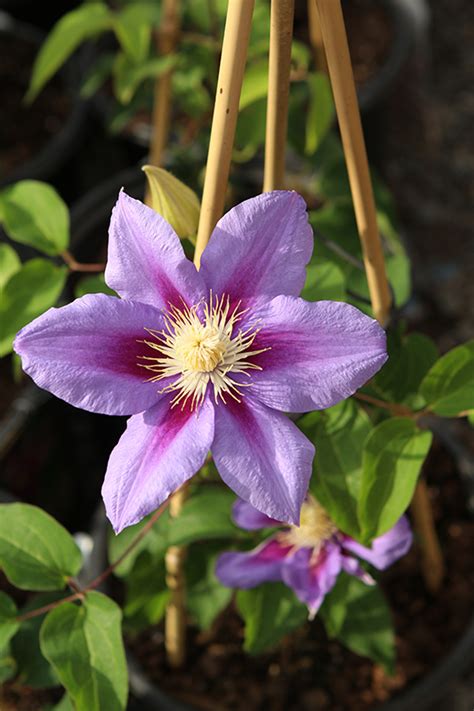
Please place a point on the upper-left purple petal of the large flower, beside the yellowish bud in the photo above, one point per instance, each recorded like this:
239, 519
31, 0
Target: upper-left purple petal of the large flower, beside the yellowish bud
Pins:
146, 261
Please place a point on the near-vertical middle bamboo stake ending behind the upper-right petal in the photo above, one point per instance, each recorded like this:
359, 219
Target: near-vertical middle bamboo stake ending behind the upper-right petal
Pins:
281, 33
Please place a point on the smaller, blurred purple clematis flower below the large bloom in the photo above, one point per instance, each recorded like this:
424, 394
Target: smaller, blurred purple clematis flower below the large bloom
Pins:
307, 558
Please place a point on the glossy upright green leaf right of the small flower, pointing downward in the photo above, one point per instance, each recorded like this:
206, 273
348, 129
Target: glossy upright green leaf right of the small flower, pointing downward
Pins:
394, 453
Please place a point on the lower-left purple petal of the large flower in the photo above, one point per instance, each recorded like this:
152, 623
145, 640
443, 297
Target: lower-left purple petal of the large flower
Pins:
159, 451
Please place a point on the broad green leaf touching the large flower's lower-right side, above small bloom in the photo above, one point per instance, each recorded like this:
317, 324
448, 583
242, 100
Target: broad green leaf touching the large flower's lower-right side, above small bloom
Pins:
339, 435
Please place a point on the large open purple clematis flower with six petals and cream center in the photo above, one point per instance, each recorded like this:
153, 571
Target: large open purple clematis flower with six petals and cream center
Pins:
205, 360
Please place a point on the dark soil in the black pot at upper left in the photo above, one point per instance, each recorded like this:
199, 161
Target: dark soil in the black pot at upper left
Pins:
25, 130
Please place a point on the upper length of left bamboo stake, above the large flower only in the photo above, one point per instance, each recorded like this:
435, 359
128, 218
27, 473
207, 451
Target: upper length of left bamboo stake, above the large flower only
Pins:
224, 120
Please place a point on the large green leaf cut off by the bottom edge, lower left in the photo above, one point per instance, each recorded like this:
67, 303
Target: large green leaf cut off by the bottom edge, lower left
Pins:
84, 645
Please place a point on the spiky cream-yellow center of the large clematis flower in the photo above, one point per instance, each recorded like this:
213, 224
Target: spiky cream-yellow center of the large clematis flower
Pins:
195, 351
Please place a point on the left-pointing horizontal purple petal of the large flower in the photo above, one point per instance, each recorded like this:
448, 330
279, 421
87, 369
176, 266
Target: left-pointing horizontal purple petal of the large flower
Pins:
87, 353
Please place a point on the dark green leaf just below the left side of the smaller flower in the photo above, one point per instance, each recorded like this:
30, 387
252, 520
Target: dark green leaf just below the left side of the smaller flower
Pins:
270, 612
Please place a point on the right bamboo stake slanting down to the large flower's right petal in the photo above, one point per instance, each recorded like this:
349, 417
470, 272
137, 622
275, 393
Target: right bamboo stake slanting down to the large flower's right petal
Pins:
342, 80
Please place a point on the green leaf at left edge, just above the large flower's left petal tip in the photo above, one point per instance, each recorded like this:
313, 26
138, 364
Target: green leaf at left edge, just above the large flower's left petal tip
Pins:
28, 293
